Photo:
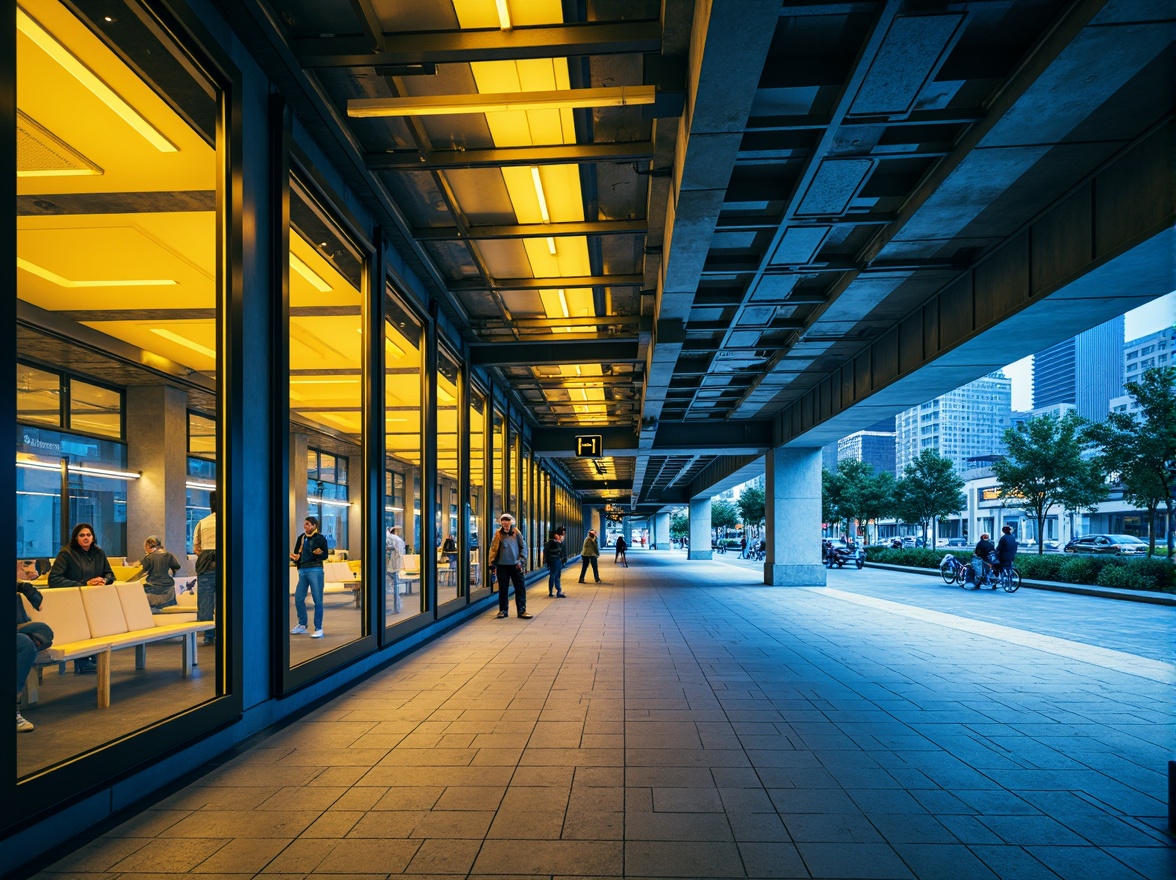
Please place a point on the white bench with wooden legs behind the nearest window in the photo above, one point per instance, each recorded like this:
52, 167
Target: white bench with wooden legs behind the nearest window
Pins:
90, 622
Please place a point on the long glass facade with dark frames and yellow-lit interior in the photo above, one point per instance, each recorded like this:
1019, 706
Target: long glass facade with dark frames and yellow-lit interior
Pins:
216, 346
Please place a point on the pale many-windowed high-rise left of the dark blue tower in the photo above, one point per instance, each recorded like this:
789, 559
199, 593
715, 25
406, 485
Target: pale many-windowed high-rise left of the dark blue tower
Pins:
963, 424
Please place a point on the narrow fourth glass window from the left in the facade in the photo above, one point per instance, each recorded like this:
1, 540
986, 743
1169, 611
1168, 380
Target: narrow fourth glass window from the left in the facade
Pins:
451, 543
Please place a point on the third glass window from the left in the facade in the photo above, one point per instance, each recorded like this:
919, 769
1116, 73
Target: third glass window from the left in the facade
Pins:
404, 354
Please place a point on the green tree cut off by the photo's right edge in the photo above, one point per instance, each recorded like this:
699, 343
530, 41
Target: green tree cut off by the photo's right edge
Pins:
1141, 450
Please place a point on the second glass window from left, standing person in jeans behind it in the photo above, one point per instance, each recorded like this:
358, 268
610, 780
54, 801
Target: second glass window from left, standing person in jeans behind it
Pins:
325, 545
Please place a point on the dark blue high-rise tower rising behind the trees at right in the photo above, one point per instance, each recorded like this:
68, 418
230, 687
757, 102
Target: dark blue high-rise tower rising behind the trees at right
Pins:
1086, 371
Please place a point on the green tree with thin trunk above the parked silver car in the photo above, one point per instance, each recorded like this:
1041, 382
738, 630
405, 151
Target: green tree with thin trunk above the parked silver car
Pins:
1045, 468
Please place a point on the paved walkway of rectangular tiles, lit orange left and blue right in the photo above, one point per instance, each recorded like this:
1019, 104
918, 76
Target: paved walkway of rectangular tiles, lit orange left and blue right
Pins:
673, 723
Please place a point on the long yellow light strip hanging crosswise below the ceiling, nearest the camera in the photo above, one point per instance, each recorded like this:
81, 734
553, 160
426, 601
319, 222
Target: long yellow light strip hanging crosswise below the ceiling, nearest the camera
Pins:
500, 102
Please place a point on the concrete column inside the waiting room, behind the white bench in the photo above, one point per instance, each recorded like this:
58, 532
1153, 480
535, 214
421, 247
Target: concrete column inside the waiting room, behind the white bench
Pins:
158, 448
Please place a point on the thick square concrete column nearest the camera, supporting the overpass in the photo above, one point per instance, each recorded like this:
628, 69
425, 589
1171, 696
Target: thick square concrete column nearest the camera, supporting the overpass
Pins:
793, 494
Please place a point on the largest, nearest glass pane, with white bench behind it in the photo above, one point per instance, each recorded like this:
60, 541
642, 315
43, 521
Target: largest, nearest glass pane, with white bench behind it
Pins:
118, 291
